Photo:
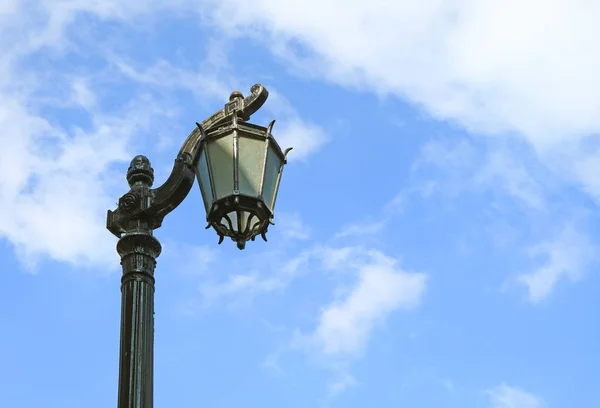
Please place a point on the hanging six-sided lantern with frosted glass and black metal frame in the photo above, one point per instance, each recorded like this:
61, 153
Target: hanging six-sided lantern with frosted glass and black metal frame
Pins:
238, 168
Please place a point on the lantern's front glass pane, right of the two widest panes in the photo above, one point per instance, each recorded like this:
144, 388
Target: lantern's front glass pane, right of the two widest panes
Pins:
251, 160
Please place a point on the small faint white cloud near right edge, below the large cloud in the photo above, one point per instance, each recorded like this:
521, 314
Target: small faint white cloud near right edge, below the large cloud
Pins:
566, 256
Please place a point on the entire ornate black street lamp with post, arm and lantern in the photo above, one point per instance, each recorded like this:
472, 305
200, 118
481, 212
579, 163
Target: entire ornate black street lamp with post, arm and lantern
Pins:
238, 166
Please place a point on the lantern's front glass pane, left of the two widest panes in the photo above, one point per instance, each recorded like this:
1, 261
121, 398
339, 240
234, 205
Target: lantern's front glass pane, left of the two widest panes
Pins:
220, 155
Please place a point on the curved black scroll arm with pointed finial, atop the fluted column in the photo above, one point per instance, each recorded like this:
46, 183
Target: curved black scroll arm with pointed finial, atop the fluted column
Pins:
150, 206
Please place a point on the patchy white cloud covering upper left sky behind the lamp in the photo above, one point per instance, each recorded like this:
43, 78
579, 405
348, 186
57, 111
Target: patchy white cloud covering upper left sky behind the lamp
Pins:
57, 181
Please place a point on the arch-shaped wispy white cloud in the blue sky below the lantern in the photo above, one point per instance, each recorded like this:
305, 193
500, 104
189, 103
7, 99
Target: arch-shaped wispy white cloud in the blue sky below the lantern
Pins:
368, 288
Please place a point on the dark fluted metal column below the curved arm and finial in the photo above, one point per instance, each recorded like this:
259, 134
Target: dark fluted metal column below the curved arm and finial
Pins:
138, 251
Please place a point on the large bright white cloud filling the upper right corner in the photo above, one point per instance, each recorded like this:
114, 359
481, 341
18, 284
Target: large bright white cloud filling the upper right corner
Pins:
522, 67
